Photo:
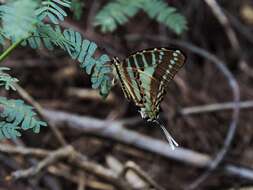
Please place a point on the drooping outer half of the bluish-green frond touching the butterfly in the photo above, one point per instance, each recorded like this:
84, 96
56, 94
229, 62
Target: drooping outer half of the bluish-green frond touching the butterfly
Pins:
98, 68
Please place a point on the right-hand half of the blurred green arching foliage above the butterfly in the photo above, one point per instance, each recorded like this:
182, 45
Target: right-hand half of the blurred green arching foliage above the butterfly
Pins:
160, 11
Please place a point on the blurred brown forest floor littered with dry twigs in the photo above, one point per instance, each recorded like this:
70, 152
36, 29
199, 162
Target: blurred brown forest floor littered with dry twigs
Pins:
198, 110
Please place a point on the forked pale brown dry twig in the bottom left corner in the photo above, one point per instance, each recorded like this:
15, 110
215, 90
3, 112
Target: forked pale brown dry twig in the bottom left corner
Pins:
72, 157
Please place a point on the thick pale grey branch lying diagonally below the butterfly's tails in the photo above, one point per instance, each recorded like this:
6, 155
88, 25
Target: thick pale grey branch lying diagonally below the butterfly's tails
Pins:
115, 131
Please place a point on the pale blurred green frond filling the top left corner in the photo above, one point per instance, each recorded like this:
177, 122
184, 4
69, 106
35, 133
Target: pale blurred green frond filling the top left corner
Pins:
18, 19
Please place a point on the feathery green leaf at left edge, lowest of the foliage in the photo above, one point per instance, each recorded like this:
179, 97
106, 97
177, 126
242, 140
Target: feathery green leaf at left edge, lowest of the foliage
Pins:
17, 116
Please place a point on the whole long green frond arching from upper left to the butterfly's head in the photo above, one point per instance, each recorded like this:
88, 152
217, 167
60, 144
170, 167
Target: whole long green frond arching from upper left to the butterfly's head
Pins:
79, 49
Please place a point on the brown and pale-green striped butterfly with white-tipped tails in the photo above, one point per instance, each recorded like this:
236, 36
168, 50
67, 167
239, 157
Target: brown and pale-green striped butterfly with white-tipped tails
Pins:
144, 77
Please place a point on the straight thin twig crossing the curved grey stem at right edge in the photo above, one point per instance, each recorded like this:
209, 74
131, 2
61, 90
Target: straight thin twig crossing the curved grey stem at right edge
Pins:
215, 107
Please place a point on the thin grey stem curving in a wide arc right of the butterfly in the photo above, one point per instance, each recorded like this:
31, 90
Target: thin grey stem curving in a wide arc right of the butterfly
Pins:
236, 97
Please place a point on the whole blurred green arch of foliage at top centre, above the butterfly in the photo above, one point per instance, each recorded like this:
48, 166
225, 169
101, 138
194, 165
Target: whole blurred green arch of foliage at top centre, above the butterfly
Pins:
118, 12
